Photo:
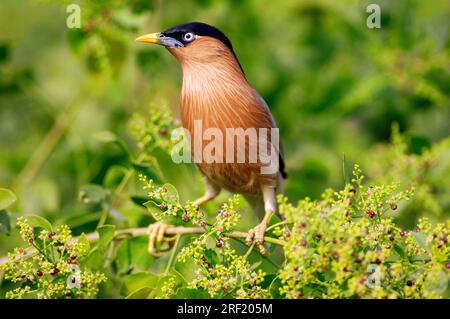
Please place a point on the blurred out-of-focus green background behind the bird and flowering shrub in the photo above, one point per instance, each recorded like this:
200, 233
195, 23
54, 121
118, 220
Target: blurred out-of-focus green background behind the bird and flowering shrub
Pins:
334, 86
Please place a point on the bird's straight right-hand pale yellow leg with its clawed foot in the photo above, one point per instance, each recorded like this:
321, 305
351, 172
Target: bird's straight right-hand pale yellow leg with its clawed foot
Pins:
256, 234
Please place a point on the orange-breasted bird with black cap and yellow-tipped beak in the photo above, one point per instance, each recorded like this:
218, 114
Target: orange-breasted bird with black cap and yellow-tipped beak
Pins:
216, 91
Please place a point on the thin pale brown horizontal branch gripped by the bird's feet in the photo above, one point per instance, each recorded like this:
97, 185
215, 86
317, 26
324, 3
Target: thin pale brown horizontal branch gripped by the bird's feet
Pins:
135, 232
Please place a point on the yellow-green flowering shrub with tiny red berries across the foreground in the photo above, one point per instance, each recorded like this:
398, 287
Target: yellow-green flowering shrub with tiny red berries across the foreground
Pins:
347, 244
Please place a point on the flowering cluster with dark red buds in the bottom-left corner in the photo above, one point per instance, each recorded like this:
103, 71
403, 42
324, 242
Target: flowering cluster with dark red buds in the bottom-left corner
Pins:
50, 265
